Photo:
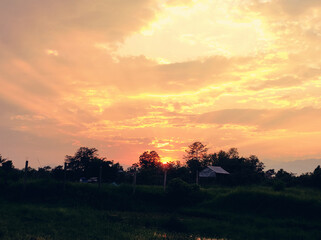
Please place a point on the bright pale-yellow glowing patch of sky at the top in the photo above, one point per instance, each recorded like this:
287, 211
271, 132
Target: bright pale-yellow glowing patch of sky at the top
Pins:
193, 29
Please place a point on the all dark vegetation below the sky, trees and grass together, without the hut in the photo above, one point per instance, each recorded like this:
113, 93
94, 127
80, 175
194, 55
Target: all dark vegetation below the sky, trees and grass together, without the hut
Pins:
250, 203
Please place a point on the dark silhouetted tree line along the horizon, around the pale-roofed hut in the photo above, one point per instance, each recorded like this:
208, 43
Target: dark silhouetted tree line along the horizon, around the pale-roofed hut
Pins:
86, 163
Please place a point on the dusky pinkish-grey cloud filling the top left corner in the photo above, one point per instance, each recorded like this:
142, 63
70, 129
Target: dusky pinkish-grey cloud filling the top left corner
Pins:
43, 19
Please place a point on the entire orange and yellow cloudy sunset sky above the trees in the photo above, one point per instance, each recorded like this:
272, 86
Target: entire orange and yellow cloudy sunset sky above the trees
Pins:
126, 76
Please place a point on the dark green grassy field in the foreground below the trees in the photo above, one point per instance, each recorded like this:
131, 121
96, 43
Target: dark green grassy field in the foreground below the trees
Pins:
45, 211
